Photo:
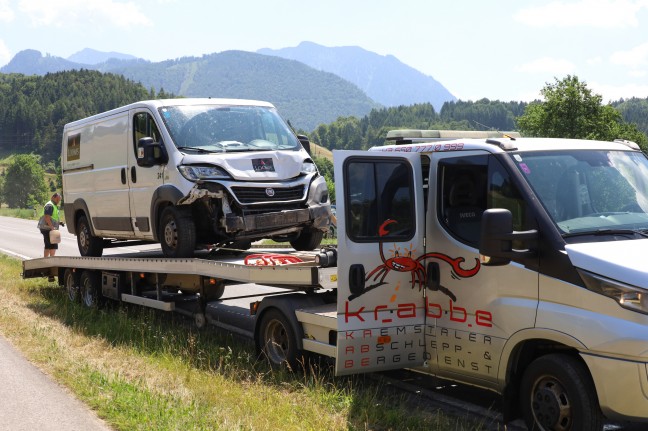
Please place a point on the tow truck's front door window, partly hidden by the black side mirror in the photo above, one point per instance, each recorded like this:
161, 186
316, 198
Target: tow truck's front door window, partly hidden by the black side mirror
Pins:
469, 185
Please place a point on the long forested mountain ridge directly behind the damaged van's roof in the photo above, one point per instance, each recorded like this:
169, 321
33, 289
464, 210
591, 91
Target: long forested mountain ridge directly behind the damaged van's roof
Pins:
304, 96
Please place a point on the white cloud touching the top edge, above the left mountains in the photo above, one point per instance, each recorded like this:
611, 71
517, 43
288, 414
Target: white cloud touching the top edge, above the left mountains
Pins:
66, 13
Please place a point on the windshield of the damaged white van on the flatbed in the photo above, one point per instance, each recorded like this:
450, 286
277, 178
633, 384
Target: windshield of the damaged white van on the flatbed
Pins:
220, 128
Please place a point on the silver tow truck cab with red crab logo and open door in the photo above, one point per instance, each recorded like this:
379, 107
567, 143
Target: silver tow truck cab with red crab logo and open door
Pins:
513, 264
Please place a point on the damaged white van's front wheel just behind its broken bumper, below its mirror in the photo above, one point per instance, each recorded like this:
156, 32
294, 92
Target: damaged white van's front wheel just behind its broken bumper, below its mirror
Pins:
177, 233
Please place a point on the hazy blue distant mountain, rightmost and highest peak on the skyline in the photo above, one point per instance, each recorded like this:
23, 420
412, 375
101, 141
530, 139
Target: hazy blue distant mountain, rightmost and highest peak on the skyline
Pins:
385, 79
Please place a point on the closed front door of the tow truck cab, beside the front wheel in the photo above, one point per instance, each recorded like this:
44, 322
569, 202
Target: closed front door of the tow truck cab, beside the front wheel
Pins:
472, 310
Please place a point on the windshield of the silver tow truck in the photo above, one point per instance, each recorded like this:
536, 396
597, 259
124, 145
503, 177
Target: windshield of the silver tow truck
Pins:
590, 192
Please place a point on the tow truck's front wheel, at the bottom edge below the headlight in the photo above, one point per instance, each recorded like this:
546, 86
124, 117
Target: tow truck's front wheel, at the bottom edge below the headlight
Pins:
557, 393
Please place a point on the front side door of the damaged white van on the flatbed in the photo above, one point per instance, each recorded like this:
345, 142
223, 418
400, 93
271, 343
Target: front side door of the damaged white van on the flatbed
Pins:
143, 181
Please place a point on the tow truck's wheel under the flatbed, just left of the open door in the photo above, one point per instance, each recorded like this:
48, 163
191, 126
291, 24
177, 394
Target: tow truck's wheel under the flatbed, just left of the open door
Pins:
277, 341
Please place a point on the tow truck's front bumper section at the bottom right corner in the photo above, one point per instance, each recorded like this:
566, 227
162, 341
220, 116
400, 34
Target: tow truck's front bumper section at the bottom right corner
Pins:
622, 387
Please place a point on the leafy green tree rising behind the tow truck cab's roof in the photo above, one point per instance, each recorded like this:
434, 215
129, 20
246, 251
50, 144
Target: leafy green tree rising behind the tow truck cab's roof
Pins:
571, 110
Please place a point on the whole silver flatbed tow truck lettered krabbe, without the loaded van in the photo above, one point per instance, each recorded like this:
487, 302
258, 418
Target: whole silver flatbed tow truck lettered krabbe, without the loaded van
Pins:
511, 264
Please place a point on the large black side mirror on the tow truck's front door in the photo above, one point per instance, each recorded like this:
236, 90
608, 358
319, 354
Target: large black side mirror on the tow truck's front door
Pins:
497, 236
